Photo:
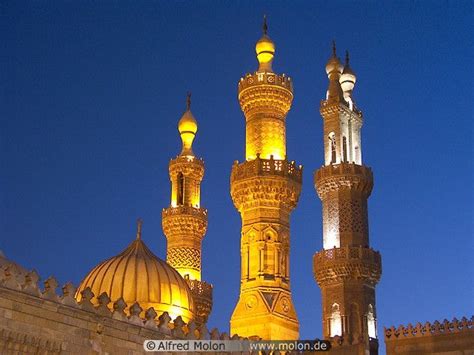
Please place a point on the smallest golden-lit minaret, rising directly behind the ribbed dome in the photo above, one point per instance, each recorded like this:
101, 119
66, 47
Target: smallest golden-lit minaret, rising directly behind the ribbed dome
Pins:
185, 222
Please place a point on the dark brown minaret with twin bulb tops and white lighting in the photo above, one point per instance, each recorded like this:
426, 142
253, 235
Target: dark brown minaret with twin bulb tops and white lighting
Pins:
347, 270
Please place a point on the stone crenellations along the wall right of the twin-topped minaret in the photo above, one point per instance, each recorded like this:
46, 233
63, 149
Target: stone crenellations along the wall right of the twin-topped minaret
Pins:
429, 329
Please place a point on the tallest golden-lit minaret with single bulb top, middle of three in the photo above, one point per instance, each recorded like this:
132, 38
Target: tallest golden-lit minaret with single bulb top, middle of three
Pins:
265, 189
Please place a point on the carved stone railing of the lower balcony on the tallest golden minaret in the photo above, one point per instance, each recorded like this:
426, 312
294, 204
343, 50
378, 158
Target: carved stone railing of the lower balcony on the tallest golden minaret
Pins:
266, 167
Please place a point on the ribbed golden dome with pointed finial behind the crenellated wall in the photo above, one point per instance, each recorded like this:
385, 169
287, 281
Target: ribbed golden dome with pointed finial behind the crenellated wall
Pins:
137, 275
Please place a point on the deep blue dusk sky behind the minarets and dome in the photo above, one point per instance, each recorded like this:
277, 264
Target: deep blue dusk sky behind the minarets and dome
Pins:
91, 93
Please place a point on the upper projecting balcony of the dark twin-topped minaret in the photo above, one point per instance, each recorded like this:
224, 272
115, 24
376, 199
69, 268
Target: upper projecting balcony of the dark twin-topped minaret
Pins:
343, 176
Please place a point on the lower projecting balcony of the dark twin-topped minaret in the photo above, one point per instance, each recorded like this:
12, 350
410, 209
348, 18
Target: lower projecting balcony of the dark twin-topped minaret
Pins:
336, 265
